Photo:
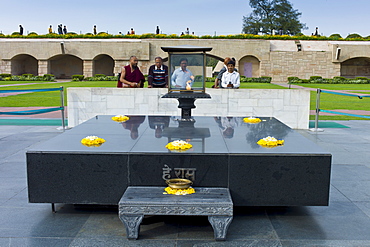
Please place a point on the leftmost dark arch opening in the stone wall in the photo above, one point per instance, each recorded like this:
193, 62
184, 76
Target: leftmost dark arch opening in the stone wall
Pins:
24, 64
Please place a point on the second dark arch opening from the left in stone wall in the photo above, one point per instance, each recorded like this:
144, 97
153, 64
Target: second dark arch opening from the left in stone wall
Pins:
64, 66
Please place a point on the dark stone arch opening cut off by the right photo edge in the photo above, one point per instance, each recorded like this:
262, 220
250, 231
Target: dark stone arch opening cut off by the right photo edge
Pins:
355, 67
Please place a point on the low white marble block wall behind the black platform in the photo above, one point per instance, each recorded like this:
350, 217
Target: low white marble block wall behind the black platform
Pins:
292, 107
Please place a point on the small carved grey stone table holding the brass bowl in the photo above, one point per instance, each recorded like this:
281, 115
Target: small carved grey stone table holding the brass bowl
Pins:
215, 203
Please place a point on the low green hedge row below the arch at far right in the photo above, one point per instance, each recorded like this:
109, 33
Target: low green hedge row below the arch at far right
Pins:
334, 80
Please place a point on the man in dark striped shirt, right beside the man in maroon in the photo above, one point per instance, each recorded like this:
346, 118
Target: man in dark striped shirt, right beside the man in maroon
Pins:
158, 74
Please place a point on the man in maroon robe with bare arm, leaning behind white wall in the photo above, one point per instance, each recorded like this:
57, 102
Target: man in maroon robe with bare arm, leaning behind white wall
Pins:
131, 75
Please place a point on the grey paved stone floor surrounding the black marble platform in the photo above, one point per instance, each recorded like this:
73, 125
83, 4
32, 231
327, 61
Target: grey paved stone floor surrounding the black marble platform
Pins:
345, 222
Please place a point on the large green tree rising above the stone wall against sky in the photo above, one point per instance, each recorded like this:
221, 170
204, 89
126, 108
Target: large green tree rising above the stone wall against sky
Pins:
269, 15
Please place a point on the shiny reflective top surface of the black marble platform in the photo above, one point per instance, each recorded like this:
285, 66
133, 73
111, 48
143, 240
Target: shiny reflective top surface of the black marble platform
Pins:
208, 135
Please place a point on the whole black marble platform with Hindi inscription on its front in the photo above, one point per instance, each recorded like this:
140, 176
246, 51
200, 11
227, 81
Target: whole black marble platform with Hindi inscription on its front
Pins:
224, 154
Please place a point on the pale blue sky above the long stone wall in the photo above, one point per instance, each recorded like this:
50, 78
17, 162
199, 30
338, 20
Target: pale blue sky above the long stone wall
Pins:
203, 17
